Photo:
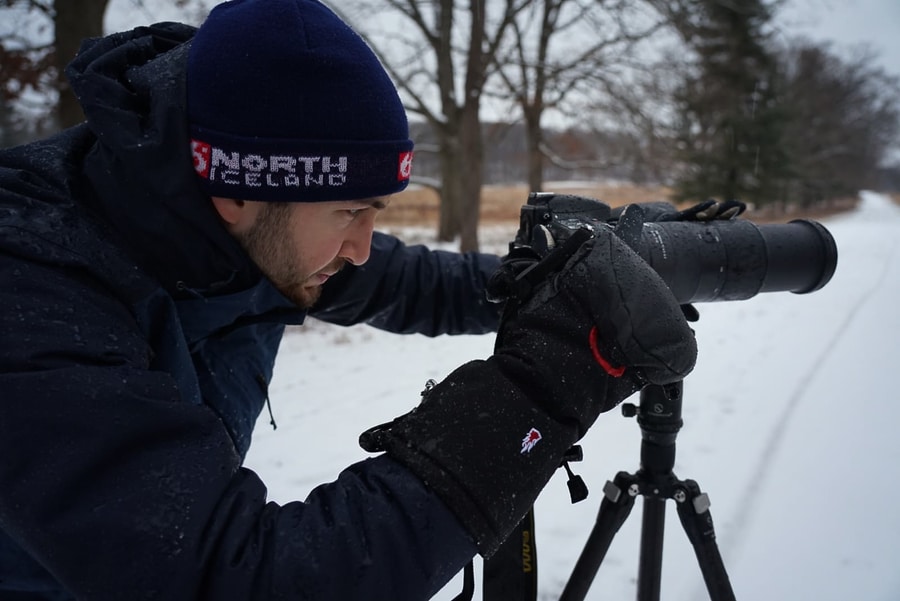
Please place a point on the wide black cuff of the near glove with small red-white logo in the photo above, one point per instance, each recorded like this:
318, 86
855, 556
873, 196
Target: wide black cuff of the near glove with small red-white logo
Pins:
484, 447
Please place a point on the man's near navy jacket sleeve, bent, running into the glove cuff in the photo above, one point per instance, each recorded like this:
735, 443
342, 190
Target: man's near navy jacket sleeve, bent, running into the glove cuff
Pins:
121, 489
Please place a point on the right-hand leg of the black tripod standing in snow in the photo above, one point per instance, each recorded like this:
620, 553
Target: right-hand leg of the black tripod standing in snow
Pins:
693, 510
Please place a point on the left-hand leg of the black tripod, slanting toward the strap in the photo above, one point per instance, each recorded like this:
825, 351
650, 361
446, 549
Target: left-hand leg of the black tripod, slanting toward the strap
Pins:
618, 500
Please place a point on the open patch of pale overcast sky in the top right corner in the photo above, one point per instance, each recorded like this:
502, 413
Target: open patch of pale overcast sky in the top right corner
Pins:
849, 23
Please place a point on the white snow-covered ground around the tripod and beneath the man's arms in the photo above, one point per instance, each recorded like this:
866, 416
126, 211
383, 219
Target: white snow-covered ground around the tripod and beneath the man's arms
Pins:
791, 427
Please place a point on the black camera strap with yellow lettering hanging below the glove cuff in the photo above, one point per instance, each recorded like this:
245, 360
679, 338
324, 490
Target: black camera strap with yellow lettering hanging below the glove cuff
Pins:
511, 573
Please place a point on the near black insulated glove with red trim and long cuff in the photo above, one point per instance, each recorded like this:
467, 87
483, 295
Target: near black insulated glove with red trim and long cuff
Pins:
595, 329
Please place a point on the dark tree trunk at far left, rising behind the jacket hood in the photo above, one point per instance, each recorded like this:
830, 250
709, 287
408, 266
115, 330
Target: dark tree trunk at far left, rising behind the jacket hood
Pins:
73, 22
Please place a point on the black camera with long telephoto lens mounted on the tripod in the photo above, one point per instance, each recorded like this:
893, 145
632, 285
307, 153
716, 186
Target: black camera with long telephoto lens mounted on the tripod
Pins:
700, 261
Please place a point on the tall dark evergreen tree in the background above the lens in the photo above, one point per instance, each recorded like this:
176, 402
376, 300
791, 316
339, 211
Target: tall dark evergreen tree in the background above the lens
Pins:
729, 137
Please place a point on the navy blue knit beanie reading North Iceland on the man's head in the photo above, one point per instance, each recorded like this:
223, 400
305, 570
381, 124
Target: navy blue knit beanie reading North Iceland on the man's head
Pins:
287, 103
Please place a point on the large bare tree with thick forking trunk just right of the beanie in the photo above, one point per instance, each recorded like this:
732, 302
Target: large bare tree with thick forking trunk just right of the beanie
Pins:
440, 64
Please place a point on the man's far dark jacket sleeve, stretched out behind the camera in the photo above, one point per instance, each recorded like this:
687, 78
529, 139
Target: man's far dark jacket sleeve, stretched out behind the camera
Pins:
412, 289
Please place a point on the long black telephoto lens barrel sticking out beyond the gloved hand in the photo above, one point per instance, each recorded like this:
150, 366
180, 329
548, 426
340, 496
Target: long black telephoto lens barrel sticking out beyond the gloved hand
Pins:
737, 259
